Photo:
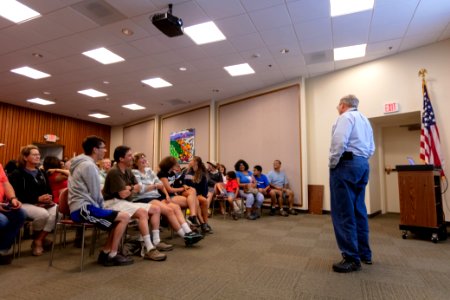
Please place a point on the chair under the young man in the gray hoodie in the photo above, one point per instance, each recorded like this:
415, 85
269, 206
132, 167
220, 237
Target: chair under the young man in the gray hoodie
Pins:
63, 208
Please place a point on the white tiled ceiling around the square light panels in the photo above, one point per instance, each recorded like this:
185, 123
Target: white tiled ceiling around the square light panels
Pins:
256, 31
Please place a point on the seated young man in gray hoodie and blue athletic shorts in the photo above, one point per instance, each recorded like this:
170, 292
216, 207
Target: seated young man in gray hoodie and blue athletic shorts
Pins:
86, 201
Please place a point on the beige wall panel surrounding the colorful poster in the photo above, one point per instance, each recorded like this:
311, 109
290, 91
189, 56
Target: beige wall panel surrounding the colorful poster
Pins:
198, 119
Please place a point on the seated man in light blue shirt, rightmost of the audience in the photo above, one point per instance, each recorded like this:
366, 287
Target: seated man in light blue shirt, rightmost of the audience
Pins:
280, 188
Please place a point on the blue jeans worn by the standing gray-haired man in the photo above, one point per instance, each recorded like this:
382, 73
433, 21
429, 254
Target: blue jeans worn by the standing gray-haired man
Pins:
348, 182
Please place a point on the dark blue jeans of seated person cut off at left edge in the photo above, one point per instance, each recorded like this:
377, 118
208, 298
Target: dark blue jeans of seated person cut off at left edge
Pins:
10, 224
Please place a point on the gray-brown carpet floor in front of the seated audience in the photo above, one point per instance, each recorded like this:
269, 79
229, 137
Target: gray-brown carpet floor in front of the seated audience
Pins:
270, 258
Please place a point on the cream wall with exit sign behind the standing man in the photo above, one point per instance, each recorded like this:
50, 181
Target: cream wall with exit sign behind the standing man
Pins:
386, 80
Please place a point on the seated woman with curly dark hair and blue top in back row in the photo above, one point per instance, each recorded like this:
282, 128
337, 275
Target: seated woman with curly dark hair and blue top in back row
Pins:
247, 189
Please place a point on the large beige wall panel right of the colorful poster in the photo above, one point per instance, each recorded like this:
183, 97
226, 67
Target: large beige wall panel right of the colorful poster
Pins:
262, 128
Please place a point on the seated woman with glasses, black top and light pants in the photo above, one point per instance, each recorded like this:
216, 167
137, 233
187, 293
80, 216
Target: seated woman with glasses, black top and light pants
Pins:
33, 190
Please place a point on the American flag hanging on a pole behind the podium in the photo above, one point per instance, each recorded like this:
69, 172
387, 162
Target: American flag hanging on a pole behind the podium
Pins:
430, 145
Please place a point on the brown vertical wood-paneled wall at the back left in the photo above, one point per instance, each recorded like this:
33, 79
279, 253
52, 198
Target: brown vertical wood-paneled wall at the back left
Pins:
22, 126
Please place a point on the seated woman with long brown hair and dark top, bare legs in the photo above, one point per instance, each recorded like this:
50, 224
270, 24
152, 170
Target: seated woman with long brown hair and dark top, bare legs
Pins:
197, 177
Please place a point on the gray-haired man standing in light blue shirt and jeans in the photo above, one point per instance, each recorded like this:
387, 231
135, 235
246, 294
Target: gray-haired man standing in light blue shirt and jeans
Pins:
351, 146
